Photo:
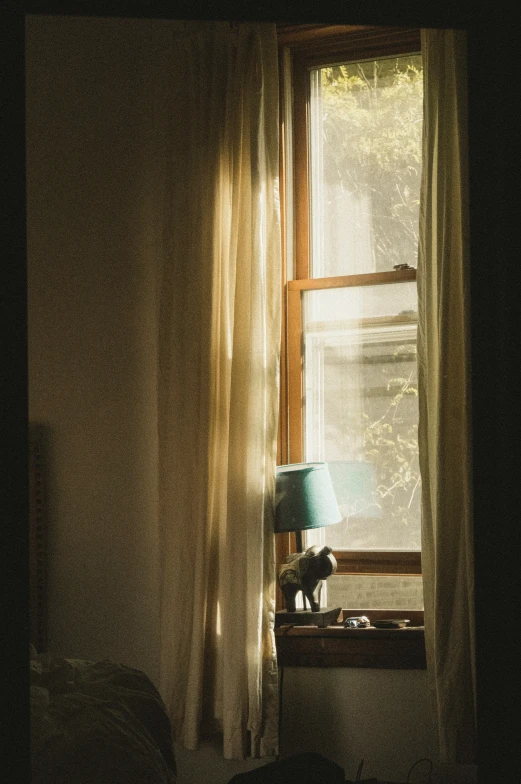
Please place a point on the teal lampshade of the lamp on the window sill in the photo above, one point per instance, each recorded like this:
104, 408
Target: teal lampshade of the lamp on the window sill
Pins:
304, 497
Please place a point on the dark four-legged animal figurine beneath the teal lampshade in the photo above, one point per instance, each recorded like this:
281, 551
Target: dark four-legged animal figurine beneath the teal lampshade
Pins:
305, 572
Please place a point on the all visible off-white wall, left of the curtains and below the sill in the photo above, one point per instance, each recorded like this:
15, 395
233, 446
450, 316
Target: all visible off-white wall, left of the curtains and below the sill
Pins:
94, 218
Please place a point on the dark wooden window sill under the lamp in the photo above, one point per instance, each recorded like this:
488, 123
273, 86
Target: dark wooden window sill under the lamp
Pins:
335, 646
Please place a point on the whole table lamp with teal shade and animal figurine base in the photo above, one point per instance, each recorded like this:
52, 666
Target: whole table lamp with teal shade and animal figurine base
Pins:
305, 499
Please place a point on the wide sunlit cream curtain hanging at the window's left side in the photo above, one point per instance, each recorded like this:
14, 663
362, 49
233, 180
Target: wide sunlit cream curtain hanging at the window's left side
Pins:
219, 337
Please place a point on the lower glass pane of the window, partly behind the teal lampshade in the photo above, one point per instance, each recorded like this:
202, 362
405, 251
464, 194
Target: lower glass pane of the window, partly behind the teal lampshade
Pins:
361, 410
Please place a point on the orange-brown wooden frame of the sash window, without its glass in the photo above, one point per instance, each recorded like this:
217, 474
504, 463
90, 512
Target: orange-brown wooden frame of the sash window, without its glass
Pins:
314, 46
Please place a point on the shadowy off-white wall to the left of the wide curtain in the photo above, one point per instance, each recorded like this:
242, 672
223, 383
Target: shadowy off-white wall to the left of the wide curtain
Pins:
91, 284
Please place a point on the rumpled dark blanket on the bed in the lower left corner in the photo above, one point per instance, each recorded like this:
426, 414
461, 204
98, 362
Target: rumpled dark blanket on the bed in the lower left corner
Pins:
97, 723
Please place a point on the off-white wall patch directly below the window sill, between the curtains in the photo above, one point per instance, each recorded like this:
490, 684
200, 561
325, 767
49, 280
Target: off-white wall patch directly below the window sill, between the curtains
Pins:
380, 716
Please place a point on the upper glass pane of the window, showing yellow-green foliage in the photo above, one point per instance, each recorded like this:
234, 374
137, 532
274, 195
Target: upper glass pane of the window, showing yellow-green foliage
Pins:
365, 165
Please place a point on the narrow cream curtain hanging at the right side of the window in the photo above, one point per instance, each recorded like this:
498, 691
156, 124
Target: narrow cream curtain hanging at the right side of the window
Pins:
444, 389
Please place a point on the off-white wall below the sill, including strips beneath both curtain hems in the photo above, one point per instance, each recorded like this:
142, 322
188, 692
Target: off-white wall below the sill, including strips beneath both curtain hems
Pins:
348, 715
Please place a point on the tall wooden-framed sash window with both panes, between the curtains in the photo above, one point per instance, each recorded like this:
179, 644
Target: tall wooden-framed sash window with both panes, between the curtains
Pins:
352, 138
